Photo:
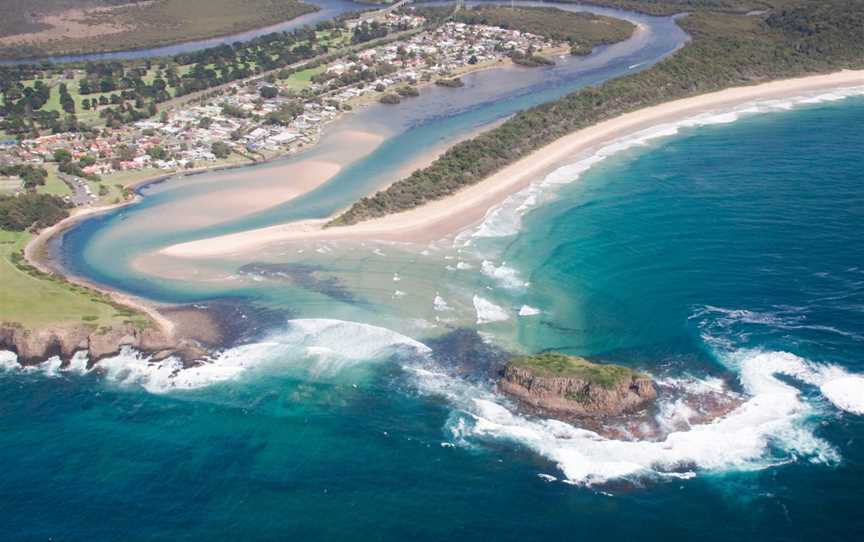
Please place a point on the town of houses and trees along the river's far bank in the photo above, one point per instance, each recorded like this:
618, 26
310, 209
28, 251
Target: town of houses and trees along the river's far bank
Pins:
267, 115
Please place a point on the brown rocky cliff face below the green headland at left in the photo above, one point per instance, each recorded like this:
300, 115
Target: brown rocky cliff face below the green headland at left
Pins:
35, 346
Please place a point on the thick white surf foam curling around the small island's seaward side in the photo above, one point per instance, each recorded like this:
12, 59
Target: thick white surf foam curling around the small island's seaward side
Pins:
773, 425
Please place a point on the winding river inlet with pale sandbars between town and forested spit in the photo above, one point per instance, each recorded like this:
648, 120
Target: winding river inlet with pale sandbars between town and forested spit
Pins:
119, 248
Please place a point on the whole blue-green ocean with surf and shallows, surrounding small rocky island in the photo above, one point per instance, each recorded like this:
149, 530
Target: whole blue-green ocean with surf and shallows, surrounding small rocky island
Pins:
722, 255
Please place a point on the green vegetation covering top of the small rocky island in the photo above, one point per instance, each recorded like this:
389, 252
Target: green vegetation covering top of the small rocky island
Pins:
555, 365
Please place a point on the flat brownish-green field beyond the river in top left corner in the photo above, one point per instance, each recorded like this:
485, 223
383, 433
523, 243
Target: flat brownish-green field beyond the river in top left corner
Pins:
32, 27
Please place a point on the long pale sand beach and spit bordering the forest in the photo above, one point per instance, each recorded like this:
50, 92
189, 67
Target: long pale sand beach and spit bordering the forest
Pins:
444, 217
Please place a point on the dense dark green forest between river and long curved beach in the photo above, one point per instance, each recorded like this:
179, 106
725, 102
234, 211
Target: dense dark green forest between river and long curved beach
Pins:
731, 46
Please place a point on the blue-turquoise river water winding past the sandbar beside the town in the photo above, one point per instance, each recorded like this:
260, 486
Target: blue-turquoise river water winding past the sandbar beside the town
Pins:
104, 248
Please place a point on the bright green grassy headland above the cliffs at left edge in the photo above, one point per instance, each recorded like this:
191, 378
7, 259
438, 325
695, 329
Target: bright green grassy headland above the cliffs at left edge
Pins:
38, 301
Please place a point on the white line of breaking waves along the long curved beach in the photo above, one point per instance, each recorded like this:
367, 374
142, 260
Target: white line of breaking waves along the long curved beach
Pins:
506, 219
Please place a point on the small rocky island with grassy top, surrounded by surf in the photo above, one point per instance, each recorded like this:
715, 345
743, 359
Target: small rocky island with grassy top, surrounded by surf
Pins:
568, 386
